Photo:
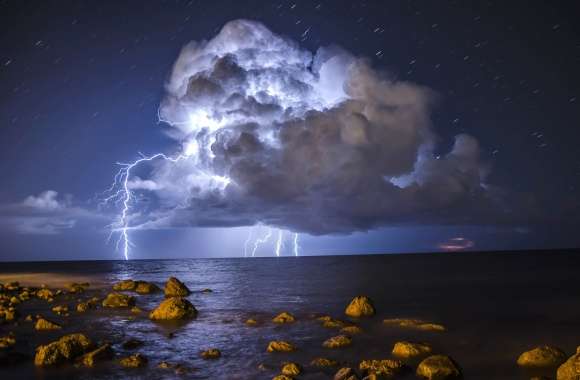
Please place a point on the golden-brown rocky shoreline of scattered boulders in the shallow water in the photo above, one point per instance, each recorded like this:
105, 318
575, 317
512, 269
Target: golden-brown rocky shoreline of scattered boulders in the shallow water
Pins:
408, 358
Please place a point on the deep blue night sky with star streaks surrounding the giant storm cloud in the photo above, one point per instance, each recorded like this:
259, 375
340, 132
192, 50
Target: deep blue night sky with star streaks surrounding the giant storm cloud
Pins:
81, 84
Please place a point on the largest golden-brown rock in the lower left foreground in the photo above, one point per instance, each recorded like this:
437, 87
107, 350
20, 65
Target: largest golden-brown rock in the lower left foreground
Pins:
63, 350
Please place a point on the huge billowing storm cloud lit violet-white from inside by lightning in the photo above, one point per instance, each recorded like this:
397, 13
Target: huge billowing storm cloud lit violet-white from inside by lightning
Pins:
318, 143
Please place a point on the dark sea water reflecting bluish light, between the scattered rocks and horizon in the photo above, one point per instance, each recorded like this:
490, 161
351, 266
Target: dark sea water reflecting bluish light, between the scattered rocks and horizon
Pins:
494, 305
